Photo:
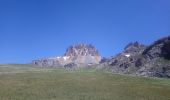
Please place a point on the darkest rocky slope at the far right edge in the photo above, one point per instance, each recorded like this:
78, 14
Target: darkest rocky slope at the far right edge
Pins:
156, 58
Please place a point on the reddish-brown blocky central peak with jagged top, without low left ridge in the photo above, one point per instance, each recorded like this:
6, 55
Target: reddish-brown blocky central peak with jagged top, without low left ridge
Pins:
83, 54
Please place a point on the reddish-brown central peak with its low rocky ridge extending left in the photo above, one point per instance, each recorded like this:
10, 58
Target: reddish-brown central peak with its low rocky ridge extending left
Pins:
75, 56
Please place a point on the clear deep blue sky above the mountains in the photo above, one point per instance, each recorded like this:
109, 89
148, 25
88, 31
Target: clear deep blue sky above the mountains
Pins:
31, 29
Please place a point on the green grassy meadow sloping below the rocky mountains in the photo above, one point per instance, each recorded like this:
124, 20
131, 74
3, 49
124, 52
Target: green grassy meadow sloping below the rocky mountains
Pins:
20, 82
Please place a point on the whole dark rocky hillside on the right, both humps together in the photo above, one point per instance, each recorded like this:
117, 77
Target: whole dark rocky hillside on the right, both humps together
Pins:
141, 60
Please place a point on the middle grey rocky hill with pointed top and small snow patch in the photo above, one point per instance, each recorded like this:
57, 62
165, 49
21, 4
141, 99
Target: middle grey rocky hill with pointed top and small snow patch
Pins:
127, 61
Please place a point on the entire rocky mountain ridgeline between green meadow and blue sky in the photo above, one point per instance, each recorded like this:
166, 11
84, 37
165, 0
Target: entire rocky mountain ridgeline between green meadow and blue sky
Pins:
135, 59
